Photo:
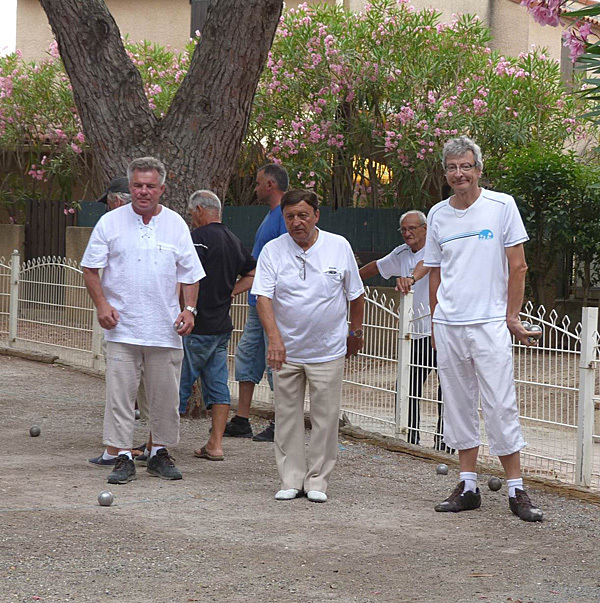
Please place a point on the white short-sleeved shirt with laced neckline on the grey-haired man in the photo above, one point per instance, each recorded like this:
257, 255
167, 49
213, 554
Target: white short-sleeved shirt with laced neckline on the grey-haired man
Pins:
142, 265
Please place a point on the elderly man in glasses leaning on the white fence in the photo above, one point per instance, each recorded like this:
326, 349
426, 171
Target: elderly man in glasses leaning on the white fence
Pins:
406, 262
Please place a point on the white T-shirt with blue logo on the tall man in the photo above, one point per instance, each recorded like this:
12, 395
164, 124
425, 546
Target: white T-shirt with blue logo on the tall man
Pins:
469, 247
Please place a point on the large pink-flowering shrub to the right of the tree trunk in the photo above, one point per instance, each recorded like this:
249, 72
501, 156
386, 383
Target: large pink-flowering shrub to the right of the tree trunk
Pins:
359, 105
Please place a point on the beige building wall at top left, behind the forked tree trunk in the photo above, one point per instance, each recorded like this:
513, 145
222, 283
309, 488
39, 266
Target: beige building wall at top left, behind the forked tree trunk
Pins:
141, 19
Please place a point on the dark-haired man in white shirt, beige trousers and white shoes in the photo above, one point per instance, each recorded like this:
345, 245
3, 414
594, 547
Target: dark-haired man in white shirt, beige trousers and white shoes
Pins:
304, 280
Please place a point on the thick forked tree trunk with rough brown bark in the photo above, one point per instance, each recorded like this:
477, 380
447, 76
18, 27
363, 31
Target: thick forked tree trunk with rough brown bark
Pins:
200, 136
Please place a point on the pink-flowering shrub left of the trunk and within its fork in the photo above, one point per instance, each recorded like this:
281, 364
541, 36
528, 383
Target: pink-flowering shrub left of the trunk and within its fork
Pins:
42, 146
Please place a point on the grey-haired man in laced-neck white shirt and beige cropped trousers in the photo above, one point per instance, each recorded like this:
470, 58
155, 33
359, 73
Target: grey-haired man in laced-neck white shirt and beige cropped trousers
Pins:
145, 250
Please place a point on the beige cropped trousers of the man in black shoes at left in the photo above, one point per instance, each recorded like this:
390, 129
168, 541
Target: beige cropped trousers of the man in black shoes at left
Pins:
162, 370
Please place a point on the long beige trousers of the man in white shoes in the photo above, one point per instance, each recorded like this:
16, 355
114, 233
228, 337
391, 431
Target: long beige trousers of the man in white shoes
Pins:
299, 468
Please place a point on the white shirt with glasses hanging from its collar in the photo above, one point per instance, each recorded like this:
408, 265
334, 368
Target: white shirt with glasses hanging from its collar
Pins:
310, 291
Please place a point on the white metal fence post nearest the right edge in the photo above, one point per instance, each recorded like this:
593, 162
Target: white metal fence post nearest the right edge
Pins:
587, 377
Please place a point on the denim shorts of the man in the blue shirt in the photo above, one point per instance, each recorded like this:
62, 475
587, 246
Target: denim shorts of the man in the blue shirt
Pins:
250, 356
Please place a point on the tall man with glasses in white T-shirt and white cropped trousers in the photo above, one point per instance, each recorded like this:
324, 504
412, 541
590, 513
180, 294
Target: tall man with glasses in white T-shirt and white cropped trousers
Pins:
477, 280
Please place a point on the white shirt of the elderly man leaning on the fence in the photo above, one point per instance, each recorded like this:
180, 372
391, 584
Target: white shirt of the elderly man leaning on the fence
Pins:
401, 262
